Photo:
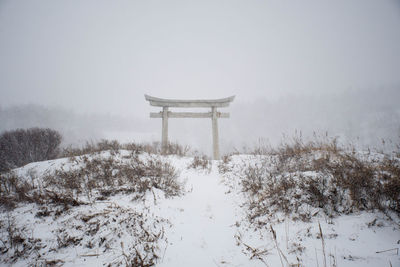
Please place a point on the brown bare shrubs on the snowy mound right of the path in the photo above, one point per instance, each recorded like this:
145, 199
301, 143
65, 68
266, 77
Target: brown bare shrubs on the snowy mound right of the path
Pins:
319, 175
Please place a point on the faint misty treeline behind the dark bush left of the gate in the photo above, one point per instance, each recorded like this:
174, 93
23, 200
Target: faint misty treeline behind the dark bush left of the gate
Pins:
76, 128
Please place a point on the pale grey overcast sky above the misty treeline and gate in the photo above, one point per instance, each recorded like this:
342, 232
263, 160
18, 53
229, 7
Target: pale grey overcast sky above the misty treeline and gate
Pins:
103, 56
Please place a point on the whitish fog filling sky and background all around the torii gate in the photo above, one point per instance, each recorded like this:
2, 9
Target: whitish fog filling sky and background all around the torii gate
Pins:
83, 67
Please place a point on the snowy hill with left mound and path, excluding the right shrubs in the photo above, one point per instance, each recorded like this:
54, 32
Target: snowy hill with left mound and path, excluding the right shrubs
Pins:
202, 222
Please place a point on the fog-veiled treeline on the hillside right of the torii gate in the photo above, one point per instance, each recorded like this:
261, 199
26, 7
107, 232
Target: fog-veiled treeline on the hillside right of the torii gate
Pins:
364, 118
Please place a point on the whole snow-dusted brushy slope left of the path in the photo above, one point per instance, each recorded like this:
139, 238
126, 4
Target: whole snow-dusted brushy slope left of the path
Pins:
77, 198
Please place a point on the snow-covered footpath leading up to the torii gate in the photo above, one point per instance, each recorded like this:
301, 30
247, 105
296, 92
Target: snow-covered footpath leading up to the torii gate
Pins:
203, 224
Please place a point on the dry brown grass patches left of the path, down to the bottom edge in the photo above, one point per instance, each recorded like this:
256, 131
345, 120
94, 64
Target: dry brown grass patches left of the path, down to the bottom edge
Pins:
82, 181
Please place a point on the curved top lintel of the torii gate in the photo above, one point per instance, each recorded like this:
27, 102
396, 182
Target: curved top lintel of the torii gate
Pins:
160, 102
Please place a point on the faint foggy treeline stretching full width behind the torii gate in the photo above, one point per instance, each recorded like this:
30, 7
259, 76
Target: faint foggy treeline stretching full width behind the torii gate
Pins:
364, 118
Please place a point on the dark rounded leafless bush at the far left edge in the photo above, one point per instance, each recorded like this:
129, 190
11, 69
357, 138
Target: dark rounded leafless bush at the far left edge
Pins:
22, 146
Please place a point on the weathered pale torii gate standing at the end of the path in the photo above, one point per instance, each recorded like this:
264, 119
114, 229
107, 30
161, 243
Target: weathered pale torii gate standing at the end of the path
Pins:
214, 115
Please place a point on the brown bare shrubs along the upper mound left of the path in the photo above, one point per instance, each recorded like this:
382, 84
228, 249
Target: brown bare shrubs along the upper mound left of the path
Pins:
90, 178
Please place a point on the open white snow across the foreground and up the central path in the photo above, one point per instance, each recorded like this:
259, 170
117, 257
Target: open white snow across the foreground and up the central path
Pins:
204, 227
